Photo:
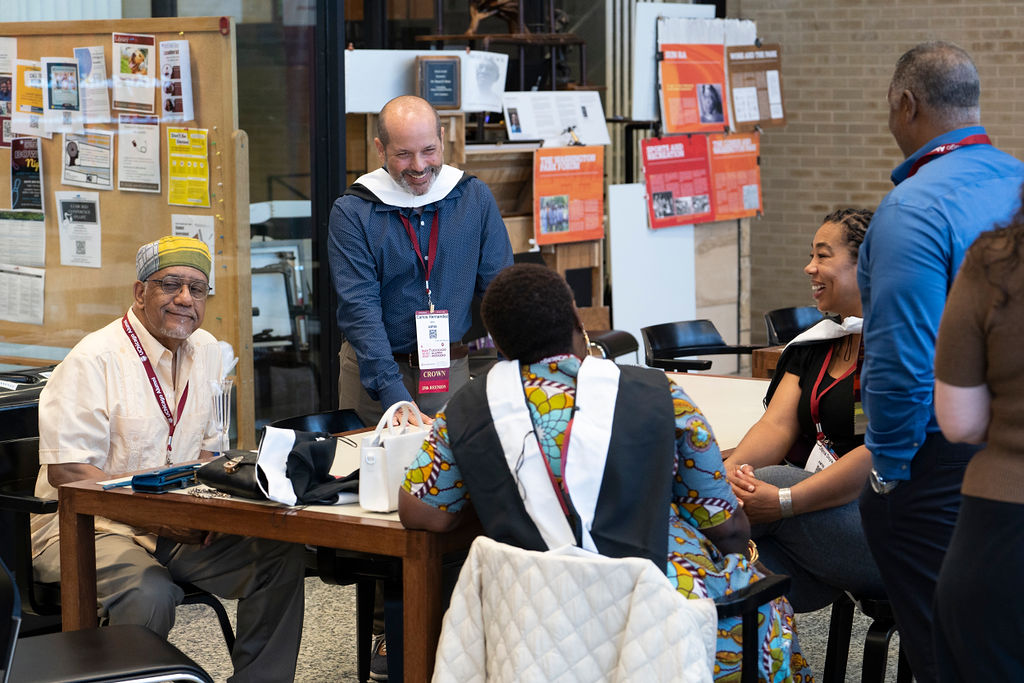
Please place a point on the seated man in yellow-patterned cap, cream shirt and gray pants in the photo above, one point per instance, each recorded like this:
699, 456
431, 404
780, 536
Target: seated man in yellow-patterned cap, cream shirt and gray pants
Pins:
135, 396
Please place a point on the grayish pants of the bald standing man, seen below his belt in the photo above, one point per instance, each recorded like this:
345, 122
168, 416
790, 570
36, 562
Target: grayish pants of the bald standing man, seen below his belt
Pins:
353, 396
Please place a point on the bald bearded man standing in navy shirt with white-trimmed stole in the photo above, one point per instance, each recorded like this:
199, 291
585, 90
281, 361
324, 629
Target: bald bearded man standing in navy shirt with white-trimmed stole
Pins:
410, 245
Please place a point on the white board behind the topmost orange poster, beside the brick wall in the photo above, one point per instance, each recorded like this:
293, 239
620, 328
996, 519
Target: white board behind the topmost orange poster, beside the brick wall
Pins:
646, 52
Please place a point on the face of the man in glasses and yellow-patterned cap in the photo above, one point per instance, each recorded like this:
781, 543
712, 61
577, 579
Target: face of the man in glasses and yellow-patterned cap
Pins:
170, 318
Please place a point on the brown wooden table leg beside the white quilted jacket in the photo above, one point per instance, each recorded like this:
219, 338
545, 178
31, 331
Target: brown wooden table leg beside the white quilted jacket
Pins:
421, 582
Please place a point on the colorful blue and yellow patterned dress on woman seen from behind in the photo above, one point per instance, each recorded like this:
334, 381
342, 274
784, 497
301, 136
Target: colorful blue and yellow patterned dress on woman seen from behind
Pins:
702, 499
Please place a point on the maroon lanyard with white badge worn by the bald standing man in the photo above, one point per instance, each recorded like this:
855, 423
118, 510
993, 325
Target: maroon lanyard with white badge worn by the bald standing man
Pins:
434, 347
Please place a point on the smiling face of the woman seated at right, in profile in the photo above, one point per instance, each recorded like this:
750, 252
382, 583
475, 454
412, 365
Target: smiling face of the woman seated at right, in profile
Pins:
833, 271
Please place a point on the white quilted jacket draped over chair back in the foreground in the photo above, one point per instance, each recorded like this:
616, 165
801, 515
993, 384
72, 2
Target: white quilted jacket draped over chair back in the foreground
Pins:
568, 615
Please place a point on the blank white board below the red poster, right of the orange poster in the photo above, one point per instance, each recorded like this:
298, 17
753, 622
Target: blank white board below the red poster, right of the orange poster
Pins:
652, 271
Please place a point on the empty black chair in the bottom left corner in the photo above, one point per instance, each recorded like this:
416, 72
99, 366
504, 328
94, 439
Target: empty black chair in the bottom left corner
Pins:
113, 654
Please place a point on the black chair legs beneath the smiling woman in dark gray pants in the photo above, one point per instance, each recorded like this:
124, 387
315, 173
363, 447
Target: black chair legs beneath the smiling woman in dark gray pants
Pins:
876, 643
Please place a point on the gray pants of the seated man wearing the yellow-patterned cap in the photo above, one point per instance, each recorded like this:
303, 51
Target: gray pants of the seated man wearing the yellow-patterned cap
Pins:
267, 578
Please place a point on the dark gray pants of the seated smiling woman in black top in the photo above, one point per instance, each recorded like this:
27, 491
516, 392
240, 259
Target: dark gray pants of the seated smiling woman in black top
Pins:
825, 552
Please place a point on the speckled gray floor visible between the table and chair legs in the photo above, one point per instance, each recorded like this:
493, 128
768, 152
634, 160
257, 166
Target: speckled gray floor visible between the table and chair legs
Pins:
328, 654
